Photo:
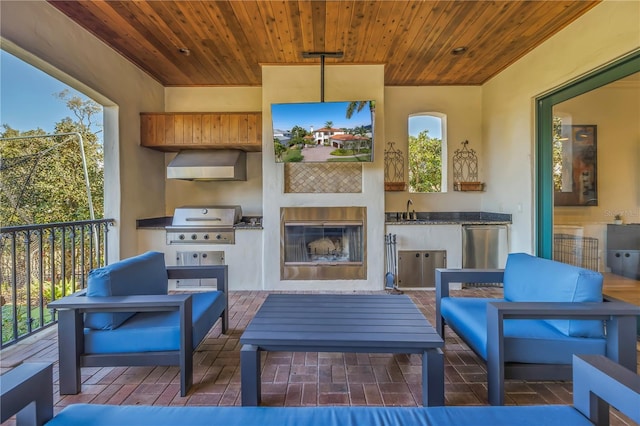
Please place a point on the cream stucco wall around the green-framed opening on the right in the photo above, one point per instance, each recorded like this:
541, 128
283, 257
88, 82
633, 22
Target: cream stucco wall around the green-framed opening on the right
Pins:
608, 31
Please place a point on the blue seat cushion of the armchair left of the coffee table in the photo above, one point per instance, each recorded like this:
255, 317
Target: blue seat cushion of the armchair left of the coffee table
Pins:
157, 331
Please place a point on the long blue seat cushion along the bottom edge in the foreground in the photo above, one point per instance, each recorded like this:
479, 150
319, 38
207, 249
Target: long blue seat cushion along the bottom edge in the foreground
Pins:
99, 415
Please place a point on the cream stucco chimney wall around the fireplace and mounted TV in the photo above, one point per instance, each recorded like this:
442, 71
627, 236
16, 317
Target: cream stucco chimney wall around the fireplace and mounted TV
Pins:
302, 84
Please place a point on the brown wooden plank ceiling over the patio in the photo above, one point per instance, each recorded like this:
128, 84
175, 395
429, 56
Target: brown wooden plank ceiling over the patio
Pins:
229, 41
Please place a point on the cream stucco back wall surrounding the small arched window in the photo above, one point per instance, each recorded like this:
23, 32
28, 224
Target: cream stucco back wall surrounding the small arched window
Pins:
462, 107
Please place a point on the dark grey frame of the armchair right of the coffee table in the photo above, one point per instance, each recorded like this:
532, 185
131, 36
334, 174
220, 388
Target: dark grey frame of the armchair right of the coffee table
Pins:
619, 317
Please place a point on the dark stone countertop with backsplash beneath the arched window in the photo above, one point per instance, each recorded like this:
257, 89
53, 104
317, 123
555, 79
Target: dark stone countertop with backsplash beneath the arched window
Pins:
448, 218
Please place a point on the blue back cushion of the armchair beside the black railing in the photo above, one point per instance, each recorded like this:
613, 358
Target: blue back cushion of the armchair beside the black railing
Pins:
138, 275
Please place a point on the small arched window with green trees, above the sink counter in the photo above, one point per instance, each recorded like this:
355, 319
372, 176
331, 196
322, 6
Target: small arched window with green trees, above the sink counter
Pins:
427, 148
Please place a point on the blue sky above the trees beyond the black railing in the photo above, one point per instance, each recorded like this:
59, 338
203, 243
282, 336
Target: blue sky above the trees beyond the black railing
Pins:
27, 96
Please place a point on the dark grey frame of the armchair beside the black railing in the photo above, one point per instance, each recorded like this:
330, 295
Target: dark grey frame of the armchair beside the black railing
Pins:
71, 328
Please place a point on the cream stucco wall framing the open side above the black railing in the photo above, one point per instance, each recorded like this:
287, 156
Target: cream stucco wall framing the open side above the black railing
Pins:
35, 31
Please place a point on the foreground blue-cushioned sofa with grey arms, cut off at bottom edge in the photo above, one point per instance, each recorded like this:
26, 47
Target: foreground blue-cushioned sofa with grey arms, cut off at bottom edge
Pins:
597, 382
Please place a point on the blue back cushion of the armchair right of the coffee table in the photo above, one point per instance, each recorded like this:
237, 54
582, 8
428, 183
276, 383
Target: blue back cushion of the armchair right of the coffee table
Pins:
533, 279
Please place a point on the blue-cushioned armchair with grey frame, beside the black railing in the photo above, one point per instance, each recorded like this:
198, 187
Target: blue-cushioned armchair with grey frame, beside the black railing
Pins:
125, 317
